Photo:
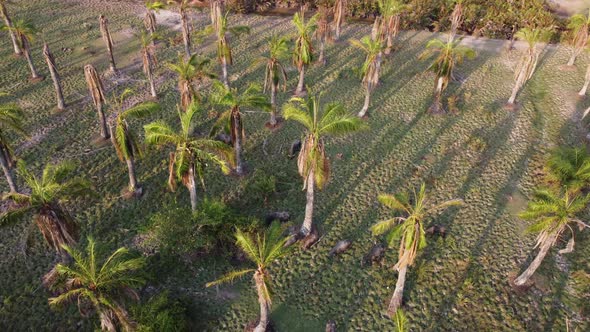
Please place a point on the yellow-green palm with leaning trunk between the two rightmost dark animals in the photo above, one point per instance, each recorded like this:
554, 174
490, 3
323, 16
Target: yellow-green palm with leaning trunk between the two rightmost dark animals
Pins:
407, 232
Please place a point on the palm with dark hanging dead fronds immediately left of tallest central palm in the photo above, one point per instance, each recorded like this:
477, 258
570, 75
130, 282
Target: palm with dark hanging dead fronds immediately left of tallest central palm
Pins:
231, 119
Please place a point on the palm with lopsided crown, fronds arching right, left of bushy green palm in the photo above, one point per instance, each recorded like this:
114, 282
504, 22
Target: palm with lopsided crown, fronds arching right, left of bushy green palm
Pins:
124, 140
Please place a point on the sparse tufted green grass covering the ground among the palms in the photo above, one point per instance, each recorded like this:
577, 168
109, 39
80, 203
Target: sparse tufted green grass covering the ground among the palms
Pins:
483, 155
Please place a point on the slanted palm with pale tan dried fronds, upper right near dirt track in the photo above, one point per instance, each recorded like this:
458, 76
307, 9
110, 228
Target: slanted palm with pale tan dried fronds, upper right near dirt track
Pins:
529, 60
